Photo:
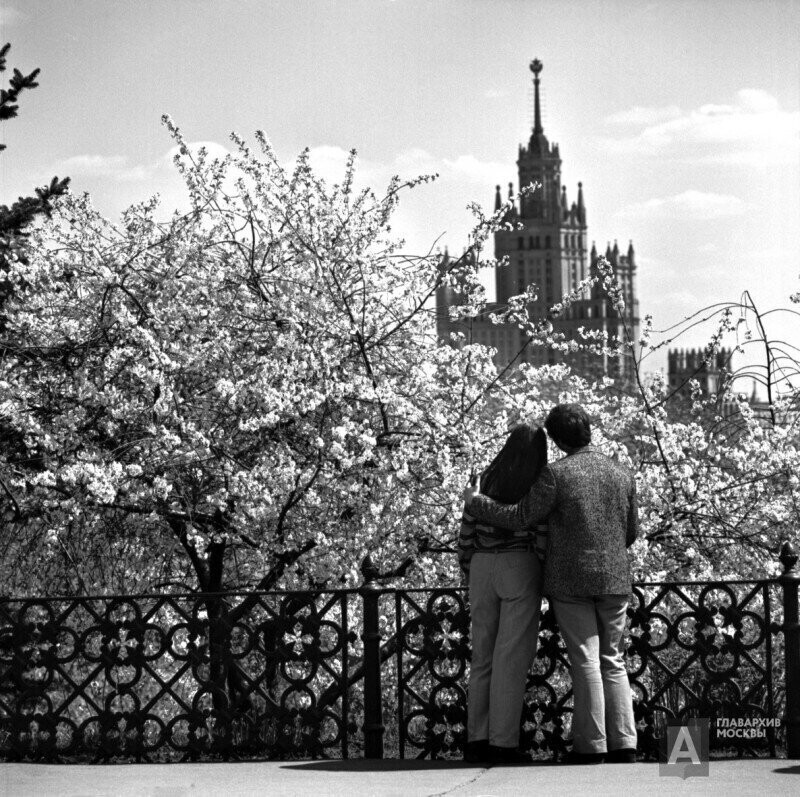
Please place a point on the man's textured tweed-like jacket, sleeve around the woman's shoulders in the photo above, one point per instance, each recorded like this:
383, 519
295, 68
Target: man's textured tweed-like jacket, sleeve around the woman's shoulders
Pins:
589, 501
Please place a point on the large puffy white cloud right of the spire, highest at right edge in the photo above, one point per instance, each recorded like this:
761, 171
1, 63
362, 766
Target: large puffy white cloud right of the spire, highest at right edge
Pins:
754, 130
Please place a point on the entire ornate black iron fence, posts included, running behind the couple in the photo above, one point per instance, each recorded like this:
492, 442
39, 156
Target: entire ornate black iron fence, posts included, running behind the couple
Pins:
363, 673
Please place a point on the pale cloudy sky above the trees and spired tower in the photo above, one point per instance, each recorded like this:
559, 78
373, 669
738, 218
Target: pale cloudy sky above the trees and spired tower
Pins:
681, 119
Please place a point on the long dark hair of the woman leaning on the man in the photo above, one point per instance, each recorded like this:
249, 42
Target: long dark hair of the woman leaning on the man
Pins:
517, 465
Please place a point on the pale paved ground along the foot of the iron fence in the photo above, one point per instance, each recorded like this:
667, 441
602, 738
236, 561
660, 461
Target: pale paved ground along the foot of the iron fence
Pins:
388, 778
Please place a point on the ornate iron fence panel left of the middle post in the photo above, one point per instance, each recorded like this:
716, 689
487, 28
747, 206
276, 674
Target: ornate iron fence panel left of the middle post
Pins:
152, 678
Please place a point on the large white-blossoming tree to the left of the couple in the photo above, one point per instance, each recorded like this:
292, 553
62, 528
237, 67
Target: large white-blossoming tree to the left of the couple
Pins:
249, 395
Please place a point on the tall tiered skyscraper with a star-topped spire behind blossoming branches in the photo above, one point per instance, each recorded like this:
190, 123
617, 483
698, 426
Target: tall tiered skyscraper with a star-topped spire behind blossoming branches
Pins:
548, 247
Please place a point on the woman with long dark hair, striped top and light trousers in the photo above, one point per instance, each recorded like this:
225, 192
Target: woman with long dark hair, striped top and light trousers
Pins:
505, 594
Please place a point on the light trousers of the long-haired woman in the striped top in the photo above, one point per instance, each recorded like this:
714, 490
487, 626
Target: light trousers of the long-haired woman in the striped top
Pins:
505, 594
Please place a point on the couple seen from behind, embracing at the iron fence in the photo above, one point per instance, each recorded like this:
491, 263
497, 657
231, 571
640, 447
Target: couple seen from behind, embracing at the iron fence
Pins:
561, 530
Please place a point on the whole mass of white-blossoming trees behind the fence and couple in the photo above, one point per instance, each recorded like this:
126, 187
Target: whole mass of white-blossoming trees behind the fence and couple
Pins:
252, 394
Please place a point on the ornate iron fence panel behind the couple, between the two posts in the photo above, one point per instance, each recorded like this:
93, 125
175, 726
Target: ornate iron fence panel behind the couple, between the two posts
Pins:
692, 650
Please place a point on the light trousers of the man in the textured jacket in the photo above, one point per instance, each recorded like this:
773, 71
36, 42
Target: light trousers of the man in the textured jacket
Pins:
592, 629
